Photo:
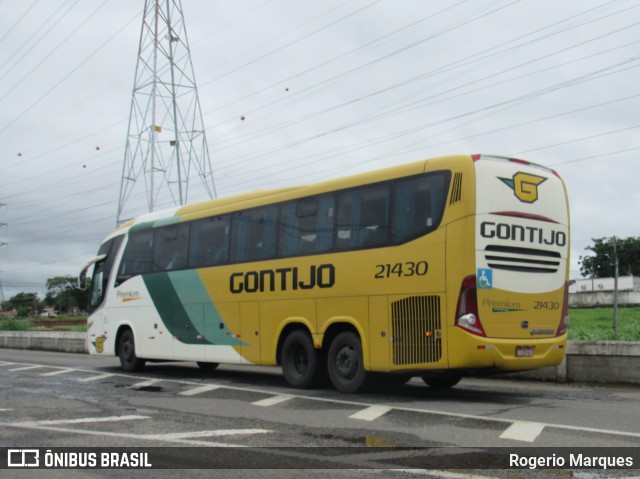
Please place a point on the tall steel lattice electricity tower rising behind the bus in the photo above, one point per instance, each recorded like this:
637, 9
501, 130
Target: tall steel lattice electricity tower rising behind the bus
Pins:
166, 150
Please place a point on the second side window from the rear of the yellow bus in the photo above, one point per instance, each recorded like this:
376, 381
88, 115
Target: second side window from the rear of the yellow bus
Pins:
363, 218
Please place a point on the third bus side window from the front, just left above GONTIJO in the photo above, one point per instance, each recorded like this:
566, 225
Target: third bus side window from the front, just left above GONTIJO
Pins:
209, 243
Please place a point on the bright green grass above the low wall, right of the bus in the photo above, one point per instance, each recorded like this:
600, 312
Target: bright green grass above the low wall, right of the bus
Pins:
596, 324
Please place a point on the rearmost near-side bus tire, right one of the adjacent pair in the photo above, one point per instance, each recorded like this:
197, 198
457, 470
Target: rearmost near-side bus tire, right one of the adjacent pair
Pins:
345, 363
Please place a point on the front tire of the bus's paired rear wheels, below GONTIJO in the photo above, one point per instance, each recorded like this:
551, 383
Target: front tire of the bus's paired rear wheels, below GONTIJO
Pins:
299, 360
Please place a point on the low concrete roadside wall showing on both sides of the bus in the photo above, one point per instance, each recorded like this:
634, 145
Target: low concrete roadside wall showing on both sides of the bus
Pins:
596, 362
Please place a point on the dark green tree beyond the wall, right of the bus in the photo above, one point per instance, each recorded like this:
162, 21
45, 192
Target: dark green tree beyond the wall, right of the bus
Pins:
601, 263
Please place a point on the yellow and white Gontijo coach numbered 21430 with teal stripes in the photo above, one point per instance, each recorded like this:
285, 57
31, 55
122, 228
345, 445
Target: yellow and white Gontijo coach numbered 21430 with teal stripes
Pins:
440, 268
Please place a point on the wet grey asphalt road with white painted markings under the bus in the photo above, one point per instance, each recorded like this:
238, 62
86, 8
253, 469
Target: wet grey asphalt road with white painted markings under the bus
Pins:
253, 425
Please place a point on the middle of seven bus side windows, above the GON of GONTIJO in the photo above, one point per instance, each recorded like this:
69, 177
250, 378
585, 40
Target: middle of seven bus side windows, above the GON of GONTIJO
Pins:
254, 234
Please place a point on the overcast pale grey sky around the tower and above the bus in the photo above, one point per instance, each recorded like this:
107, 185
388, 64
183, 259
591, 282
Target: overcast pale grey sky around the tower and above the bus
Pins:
325, 89
